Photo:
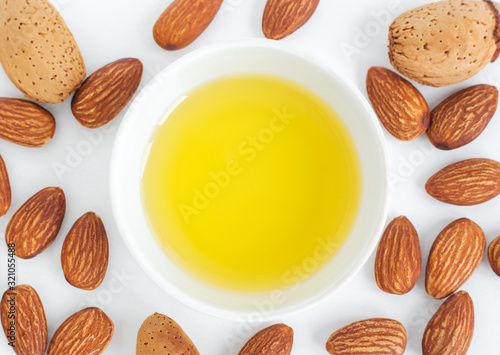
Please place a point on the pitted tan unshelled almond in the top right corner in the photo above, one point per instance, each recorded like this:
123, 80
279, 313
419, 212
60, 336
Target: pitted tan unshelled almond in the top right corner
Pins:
446, 42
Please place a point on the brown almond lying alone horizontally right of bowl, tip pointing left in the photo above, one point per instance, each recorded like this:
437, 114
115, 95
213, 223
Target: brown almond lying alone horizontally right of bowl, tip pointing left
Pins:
466, 183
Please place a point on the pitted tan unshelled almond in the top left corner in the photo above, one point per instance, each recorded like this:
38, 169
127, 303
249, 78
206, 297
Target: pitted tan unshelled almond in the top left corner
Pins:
39, 53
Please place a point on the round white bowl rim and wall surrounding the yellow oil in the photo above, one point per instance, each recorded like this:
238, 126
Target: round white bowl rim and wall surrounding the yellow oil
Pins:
207, 64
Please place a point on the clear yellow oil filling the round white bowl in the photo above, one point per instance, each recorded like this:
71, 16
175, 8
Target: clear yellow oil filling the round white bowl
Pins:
251, 183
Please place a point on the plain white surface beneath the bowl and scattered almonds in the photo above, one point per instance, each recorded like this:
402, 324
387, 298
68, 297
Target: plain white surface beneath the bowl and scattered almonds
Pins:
348, 36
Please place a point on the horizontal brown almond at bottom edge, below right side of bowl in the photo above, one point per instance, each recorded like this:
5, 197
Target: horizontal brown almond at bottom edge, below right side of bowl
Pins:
370, 336
